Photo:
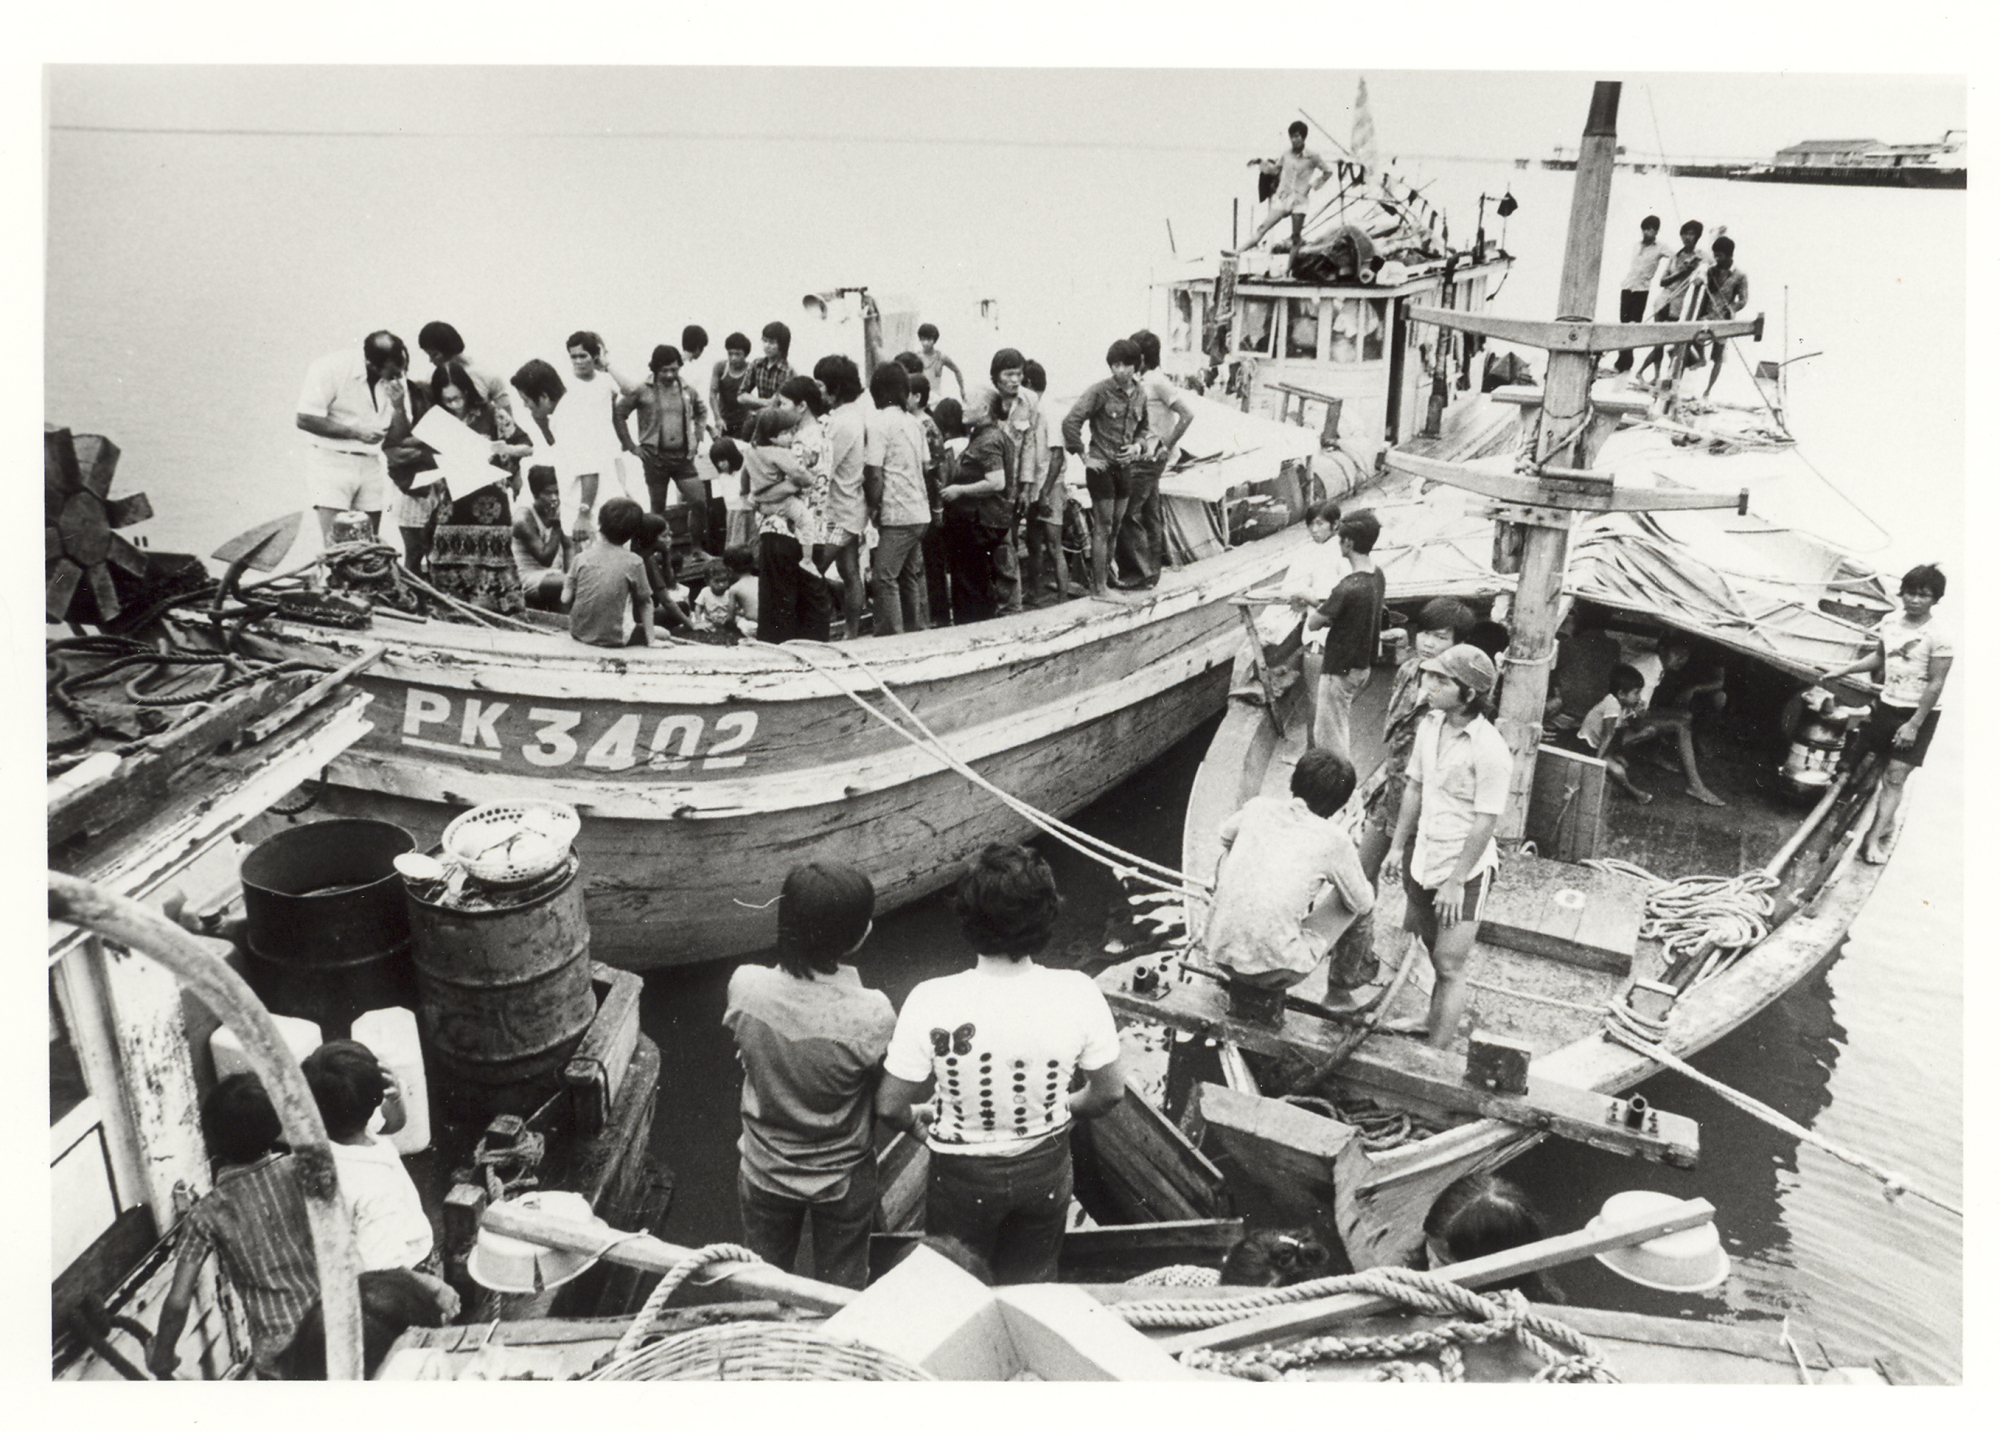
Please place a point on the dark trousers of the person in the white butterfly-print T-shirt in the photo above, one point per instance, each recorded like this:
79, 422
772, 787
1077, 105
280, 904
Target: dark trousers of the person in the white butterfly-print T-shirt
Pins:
1009, 1211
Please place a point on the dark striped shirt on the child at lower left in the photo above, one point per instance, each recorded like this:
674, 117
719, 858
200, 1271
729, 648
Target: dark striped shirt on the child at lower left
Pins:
255, 1223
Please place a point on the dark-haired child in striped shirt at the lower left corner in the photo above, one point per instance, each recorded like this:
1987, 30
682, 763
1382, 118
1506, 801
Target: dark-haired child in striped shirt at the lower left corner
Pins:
255, 1225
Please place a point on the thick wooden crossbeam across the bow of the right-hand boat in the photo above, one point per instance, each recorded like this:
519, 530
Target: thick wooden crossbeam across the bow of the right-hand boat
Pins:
1403, 1069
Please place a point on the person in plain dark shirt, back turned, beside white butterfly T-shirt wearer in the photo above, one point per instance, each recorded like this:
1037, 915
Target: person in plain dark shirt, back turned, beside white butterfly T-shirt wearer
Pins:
811, 1041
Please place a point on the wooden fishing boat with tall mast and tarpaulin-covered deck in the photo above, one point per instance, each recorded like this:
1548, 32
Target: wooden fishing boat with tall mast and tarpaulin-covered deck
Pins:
1645, 535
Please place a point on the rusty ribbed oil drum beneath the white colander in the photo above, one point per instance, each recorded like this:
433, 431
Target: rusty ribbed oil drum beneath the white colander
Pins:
503, 997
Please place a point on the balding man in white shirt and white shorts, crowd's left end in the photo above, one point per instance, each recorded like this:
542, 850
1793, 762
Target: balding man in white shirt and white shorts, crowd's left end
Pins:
345, 411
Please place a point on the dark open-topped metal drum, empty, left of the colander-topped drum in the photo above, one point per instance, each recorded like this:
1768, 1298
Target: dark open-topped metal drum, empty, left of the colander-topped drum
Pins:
327, 931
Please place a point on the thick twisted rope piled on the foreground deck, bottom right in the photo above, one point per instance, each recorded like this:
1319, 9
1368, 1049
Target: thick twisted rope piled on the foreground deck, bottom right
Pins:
1567, 1355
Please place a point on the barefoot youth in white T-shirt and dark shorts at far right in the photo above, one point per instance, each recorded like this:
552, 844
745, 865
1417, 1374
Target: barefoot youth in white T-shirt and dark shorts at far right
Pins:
1913, 659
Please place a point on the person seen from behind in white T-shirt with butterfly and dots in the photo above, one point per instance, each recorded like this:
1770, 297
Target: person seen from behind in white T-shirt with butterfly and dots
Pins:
999, 1047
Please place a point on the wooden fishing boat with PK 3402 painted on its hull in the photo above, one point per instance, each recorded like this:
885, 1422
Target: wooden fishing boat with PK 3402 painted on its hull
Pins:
705, 773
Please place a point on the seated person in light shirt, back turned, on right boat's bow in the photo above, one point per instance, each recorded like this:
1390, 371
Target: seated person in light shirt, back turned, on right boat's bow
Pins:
1291, 881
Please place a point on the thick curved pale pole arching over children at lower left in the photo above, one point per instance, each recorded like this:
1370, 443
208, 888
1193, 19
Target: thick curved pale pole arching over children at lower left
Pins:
197, 965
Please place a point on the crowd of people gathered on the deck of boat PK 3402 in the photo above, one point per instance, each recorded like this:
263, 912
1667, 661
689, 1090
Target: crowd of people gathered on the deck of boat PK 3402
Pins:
839, 505
